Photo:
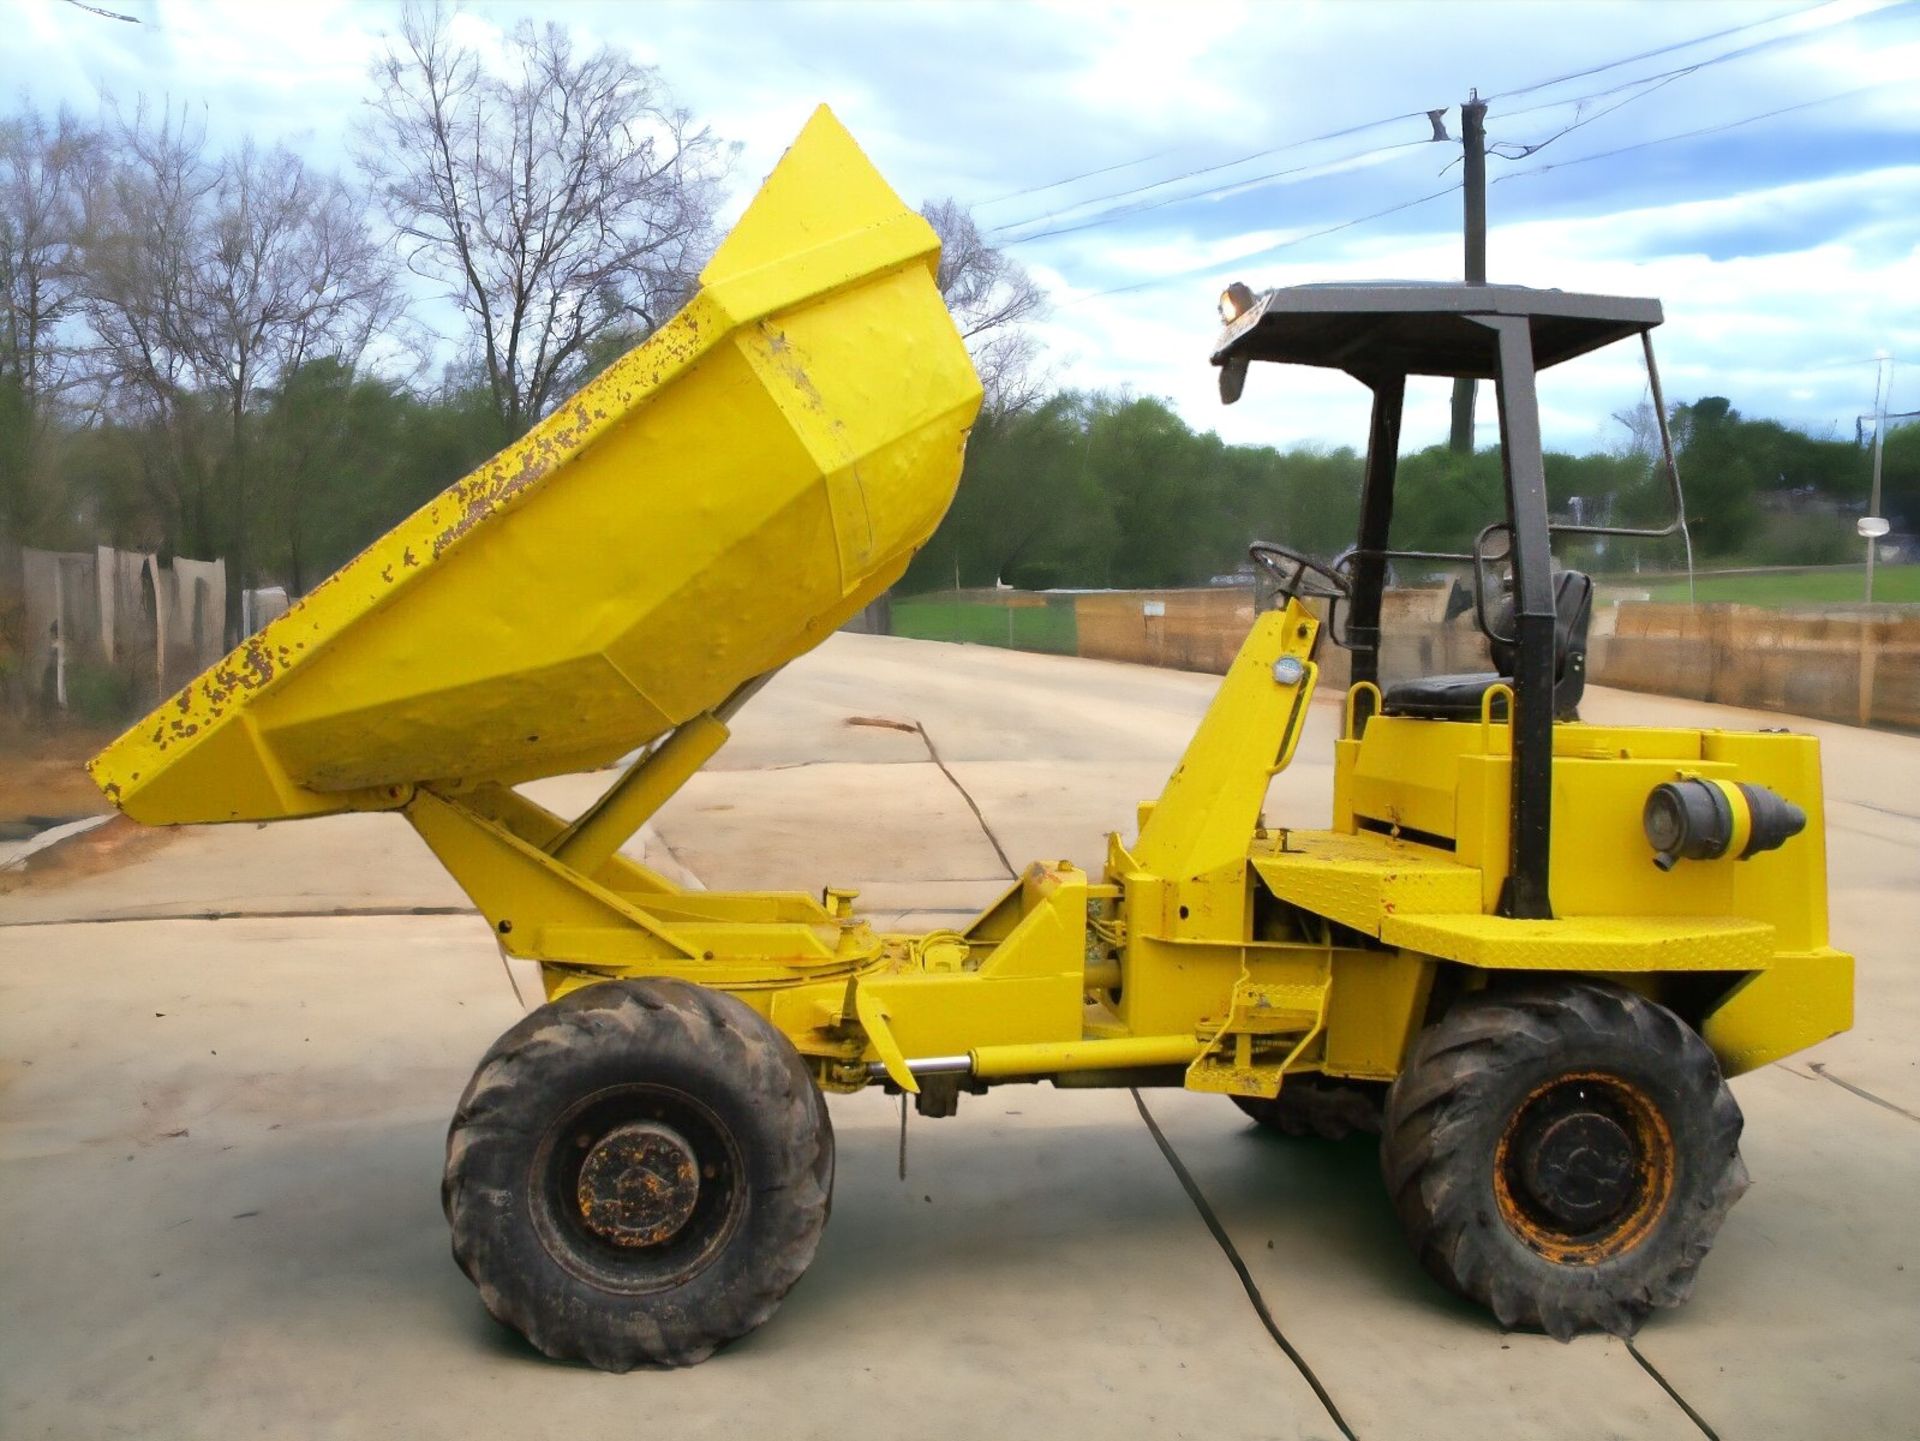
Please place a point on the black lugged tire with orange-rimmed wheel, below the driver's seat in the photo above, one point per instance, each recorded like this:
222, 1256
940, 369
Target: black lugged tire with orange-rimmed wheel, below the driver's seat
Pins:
1564, 1154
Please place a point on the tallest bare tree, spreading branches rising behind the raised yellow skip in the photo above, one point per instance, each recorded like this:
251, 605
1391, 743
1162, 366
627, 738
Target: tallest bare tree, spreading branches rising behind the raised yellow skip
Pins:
560, 202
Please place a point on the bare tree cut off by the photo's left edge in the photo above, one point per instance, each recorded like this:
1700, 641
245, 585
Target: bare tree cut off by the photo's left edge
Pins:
45, 174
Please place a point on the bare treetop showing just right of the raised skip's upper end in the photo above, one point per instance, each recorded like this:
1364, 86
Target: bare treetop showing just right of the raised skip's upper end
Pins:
994, 300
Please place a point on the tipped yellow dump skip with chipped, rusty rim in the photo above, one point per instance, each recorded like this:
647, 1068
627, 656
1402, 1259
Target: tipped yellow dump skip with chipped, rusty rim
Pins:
708, 509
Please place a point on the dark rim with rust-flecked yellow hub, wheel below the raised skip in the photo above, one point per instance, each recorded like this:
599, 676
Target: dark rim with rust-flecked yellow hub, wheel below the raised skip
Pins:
638, 1189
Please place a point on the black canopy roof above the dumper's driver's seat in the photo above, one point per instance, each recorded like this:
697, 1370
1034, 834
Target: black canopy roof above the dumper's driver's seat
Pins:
1424, 329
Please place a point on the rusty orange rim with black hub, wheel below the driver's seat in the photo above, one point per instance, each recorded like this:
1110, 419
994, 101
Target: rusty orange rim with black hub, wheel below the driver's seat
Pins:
1585, 1168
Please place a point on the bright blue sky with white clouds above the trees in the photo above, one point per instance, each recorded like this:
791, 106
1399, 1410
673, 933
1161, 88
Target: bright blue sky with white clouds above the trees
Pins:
1138, 158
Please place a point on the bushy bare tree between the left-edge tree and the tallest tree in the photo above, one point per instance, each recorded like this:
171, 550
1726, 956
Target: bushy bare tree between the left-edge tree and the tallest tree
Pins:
208, 281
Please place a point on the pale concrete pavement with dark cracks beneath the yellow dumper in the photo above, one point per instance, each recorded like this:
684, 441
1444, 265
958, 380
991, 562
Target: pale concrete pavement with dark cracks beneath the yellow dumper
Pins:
222, 1139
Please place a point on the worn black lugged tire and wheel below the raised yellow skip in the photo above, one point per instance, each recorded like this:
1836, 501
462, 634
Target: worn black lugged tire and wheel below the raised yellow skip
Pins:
638, 1173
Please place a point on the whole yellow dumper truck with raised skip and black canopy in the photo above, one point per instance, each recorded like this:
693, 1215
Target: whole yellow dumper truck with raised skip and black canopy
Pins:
1529, 951
